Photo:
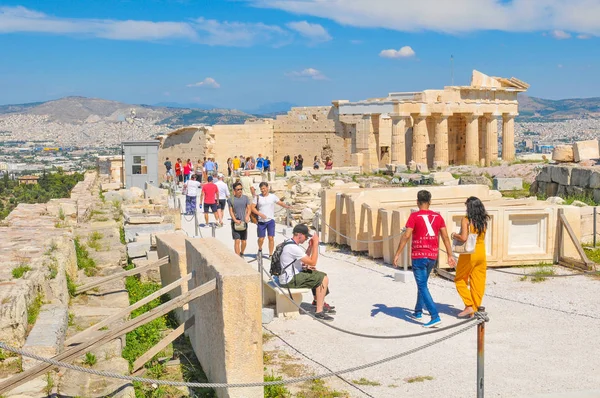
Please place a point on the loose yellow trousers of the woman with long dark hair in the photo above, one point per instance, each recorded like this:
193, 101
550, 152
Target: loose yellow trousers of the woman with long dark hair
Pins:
470, 277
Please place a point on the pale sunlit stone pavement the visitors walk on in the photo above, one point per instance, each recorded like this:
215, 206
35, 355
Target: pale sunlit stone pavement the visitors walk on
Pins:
538, 339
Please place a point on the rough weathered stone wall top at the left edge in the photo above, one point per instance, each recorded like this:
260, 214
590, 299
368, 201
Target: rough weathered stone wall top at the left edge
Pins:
39, 236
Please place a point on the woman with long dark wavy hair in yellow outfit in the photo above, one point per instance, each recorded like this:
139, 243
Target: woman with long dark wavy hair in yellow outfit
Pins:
471, 268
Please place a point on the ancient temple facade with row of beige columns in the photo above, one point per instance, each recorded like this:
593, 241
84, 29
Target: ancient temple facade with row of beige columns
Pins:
437, 128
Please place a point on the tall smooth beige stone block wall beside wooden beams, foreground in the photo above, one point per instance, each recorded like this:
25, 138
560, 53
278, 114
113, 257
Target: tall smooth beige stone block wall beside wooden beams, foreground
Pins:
227, 335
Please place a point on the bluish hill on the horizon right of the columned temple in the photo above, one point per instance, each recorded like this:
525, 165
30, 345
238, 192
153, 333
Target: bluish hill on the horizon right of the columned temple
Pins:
539, 109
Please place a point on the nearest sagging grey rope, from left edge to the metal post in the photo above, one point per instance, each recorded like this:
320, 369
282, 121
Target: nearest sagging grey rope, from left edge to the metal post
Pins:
479, 318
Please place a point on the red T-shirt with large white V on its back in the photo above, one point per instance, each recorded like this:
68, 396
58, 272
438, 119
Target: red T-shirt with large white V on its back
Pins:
426, 225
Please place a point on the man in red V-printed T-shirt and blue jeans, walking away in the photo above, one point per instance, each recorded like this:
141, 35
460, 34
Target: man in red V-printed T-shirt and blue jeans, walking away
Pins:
425, 227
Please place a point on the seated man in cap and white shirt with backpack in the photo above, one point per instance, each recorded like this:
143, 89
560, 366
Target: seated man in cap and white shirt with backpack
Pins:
299, 270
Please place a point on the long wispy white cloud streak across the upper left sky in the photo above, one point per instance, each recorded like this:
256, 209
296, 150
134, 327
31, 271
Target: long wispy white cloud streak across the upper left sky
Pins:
204, 31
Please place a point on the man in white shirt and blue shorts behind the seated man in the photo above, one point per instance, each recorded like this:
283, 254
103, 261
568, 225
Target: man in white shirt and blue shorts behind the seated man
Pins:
264, 208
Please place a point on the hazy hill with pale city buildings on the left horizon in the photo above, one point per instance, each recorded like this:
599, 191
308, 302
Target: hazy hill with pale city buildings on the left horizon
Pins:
95, 122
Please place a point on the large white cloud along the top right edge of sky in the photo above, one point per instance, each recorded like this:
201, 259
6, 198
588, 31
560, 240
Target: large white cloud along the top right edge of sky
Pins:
457, 16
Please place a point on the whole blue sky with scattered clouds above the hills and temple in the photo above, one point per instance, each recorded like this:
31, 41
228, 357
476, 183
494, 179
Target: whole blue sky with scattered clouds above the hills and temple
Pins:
245, 53
